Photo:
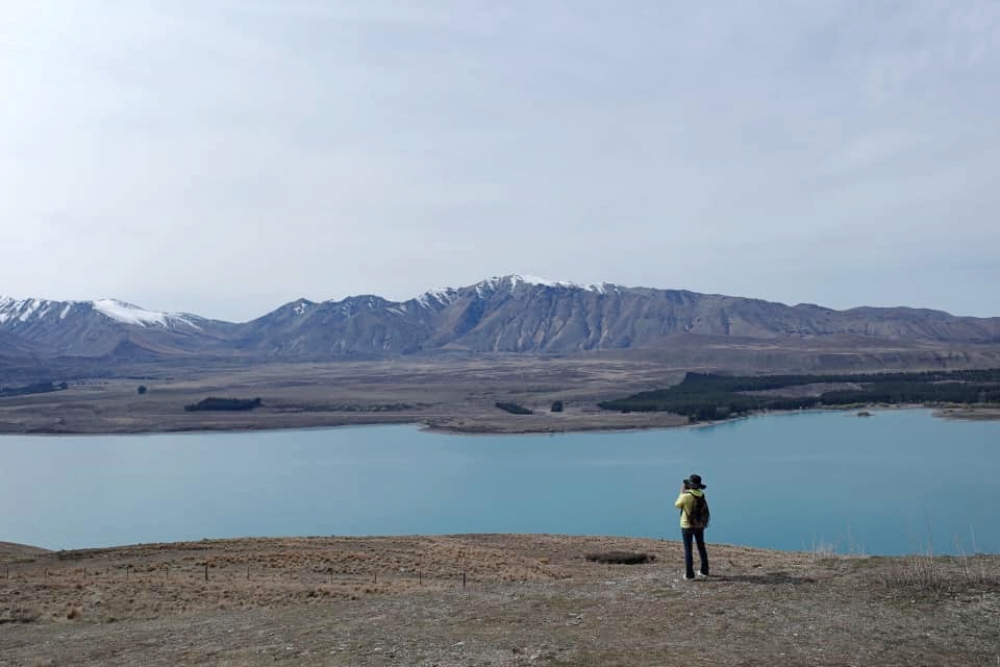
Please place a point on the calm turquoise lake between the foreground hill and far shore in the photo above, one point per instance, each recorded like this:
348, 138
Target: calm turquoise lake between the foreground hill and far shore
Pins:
898, 482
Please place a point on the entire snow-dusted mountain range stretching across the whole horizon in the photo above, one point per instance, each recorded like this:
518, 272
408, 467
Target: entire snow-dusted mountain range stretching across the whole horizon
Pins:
511, 314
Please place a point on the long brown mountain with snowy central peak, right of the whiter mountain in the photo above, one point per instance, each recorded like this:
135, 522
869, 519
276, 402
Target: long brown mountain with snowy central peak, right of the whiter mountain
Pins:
517, 313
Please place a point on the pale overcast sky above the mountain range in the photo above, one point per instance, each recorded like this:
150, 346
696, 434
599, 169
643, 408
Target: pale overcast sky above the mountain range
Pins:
223, 157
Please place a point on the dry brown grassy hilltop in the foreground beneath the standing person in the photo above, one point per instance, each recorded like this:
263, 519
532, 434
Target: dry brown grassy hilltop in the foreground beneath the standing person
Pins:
489, 600
